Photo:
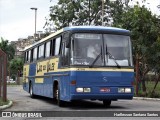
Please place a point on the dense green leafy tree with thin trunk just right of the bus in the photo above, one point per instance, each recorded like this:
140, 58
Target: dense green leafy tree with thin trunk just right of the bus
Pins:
144, 33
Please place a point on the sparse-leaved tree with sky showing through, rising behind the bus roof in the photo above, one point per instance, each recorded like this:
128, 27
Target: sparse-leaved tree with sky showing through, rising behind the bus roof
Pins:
77, 12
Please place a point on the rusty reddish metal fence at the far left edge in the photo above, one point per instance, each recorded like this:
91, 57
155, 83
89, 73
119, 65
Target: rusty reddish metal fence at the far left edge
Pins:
3, 75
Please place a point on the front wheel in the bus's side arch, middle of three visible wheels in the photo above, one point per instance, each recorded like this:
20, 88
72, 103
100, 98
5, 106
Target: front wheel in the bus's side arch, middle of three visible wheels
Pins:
57, 95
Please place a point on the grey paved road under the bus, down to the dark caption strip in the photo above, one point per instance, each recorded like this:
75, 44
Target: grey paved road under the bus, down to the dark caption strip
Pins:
23, 102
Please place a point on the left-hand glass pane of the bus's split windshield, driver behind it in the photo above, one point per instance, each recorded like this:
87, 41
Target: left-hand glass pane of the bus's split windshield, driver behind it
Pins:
85, 48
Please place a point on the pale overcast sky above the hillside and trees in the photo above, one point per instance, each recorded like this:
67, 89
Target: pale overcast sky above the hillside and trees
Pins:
17, 20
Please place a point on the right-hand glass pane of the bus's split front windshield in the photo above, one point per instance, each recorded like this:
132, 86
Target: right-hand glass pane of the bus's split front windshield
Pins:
118, 46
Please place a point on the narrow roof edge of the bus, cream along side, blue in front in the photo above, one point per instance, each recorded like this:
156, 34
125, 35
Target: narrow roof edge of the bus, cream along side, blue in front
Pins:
80, 28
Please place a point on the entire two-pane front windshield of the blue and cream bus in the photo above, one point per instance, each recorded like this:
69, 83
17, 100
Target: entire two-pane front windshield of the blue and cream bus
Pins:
100, 50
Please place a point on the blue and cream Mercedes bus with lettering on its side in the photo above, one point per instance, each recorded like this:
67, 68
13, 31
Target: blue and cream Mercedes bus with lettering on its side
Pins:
81, 62
